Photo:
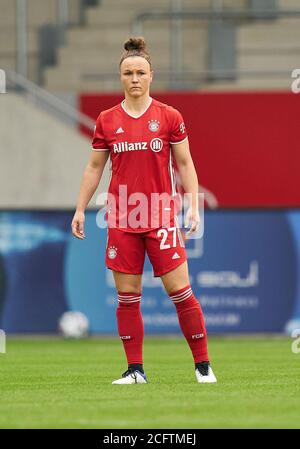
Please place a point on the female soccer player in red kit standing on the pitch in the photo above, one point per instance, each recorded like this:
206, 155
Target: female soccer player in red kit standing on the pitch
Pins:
141, 136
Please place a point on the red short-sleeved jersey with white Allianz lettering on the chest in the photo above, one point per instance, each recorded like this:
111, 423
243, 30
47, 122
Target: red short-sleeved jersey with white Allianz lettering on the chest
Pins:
141, 163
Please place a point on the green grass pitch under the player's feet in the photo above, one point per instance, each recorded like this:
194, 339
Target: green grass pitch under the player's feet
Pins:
56, 383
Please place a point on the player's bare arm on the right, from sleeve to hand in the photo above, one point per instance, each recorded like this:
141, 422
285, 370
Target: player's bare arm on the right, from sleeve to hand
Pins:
189, 179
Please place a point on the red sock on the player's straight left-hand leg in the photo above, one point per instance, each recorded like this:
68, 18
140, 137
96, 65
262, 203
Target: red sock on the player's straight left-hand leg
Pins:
131, 326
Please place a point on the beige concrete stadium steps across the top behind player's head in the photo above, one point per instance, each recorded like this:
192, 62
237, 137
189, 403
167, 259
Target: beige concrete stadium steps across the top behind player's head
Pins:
89, 59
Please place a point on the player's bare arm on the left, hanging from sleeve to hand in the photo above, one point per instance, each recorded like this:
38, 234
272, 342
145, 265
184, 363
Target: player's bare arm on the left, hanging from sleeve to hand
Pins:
89, 183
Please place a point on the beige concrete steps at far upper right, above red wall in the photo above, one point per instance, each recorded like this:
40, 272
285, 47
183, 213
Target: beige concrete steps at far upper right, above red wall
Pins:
264, 47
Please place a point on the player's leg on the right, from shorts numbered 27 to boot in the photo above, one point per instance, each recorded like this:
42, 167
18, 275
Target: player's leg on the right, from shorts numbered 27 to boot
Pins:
175, 277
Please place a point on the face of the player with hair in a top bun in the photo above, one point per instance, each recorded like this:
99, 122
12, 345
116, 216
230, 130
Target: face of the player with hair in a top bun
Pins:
136, 76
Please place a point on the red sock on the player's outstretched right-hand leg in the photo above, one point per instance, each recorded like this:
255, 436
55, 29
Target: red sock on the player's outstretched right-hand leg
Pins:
191, 321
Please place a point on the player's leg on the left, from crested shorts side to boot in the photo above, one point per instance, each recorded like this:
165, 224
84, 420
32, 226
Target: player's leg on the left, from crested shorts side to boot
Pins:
127, 269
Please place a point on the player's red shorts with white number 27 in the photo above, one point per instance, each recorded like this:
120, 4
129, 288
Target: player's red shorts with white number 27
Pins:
125, 251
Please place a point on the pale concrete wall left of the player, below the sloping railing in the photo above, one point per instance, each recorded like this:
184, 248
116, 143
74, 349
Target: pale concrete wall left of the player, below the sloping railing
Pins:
41, 159
